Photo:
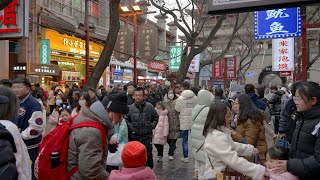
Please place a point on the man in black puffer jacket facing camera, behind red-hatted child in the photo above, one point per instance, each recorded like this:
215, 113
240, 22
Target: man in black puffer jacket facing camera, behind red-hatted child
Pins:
142, 119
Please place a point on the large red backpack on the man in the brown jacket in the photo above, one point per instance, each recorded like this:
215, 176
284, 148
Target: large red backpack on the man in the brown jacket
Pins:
58, 141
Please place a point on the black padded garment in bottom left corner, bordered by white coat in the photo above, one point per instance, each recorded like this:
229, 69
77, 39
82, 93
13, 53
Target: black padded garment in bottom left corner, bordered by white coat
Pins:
8, 169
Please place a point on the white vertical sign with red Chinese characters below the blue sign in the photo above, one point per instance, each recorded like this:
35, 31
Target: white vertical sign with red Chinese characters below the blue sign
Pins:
283, 54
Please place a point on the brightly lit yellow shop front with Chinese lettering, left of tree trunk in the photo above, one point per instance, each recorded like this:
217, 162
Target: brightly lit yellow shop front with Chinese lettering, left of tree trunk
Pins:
68, 52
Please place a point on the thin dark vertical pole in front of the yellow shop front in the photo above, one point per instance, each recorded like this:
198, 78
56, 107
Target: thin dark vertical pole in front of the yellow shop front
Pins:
86, 24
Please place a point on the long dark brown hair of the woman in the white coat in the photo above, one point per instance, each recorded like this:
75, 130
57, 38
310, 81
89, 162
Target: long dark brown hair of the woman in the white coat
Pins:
216, 117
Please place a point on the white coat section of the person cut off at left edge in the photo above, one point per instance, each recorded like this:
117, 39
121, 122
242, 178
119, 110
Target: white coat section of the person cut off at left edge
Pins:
22, 155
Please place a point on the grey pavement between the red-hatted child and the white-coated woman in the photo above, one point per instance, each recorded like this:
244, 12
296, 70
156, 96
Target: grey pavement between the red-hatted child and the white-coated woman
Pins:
176, 169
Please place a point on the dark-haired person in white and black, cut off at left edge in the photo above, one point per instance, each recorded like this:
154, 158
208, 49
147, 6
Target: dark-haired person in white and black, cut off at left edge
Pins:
14, 157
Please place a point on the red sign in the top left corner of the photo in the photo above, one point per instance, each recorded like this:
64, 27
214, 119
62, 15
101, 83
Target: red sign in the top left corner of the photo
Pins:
8, 21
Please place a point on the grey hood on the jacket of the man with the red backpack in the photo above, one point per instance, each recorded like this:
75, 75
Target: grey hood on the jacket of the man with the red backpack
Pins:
98, 109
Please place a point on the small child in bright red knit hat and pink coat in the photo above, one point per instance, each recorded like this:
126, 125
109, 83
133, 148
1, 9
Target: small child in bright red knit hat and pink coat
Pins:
134, 157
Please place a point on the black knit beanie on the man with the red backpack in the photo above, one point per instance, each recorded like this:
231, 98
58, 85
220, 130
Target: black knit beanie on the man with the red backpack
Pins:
116, 102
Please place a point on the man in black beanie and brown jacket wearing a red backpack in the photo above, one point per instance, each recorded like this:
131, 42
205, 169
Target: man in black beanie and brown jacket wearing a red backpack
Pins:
85, 148
